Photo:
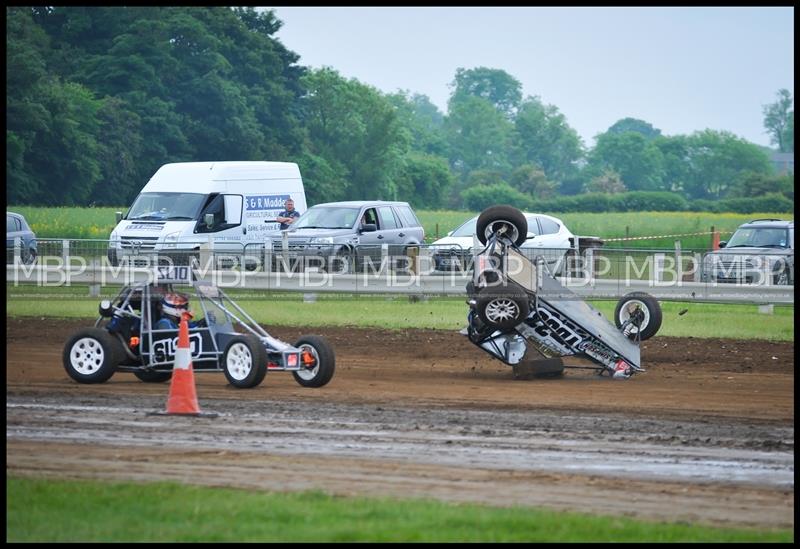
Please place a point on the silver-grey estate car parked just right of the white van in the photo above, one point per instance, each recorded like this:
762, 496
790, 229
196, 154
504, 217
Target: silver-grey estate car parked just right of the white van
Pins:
344, 235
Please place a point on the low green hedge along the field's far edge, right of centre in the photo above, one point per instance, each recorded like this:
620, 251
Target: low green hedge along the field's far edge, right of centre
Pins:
478, 198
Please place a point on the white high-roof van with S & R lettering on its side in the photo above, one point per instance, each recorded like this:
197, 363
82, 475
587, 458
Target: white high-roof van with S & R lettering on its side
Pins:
189, 206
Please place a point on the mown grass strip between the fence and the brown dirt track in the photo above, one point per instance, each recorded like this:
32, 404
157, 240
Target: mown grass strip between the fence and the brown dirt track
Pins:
704, 320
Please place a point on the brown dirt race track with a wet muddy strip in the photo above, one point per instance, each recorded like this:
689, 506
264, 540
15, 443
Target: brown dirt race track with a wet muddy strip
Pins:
707, 434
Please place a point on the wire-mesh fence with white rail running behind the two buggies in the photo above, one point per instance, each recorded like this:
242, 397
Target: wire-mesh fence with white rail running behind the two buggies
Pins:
429, 270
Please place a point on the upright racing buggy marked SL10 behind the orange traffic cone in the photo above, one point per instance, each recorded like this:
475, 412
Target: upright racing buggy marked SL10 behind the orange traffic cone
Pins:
126, 338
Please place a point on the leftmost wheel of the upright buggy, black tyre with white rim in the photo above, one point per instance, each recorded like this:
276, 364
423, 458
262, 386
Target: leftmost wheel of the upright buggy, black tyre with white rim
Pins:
90, 356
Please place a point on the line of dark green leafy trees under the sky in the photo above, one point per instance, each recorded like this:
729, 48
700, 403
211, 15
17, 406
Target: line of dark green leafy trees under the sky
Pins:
99, 97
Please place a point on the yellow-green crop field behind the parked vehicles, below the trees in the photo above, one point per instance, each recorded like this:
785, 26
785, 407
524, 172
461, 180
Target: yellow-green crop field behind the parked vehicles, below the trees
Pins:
97, 223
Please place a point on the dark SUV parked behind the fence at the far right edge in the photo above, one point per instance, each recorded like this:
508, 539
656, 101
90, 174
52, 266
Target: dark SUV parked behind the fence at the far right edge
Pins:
759, 252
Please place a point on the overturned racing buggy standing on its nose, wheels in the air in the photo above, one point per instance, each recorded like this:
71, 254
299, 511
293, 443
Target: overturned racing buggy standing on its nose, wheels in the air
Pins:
520, 314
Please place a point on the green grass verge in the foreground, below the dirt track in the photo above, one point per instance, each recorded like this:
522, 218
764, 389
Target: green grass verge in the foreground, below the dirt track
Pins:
88, 511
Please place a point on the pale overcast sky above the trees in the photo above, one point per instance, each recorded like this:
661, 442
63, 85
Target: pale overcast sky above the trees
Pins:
680, 69
